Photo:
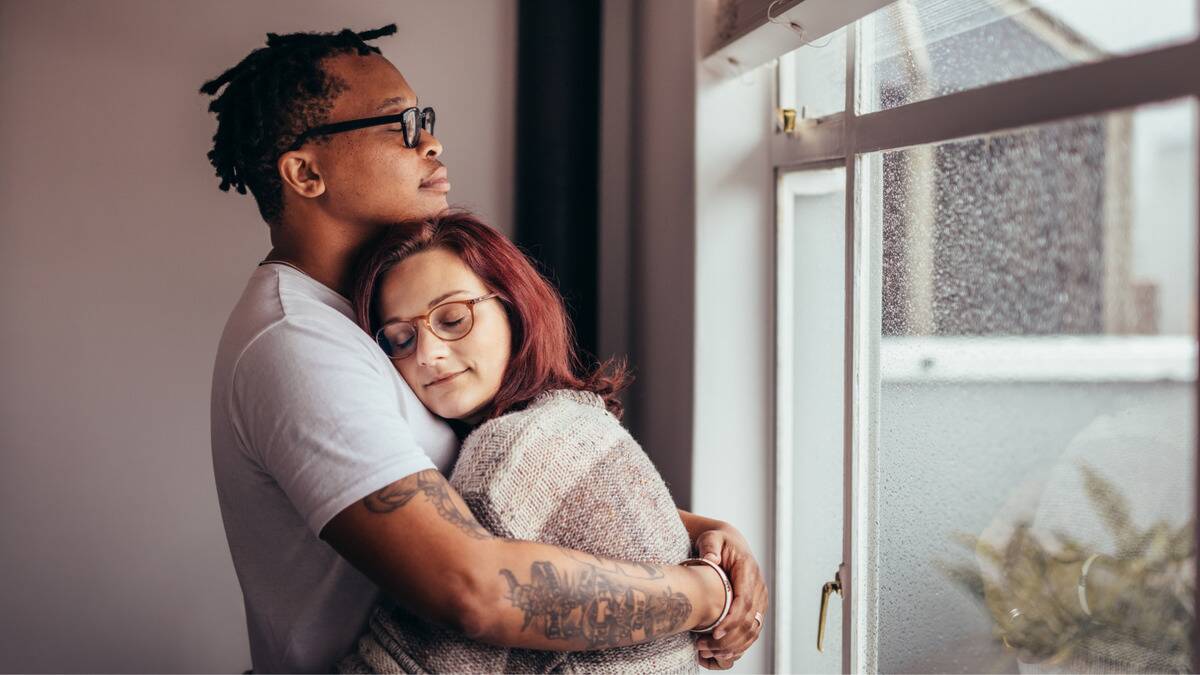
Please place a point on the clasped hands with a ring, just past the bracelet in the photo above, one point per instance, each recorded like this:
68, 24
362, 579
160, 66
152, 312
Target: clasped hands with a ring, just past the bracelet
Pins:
727, 547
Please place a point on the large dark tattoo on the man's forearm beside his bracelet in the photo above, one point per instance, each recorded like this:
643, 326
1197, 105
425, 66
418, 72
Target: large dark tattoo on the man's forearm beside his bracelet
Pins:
601, 608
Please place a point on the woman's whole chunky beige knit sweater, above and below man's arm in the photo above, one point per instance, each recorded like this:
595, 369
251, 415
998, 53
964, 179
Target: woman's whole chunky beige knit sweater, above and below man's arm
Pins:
562, 471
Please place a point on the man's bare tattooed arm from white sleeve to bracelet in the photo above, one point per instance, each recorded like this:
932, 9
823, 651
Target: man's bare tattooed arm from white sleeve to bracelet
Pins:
421, 543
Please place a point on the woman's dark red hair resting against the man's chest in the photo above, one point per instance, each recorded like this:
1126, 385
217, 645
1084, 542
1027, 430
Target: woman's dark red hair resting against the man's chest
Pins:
544, 354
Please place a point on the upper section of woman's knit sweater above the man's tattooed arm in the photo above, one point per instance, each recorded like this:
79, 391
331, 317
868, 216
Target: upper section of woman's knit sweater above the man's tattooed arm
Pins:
571, 475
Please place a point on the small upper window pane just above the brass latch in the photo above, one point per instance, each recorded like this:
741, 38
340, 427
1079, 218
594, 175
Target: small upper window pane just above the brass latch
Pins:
813, 79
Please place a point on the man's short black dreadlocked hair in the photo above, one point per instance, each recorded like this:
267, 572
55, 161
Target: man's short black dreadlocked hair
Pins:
273, 97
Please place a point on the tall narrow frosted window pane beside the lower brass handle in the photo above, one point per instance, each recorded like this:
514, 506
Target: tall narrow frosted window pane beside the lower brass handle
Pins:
812, 274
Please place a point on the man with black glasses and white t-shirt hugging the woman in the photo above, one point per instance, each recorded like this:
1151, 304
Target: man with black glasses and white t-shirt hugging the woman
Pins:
329, 471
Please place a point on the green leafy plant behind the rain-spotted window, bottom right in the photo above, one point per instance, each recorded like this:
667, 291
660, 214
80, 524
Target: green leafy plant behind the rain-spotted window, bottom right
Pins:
1139, 595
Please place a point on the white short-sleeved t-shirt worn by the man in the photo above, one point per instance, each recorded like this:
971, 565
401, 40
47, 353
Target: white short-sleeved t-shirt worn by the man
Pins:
309, 416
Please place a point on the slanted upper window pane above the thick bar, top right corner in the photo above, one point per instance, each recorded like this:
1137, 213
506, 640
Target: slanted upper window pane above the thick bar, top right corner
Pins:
917, 50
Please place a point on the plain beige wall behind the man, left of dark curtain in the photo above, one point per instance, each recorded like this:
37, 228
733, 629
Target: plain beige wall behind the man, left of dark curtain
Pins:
119, 261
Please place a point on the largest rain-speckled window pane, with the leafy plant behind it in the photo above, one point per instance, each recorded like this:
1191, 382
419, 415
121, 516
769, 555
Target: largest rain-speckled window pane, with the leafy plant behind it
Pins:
1037, 410
